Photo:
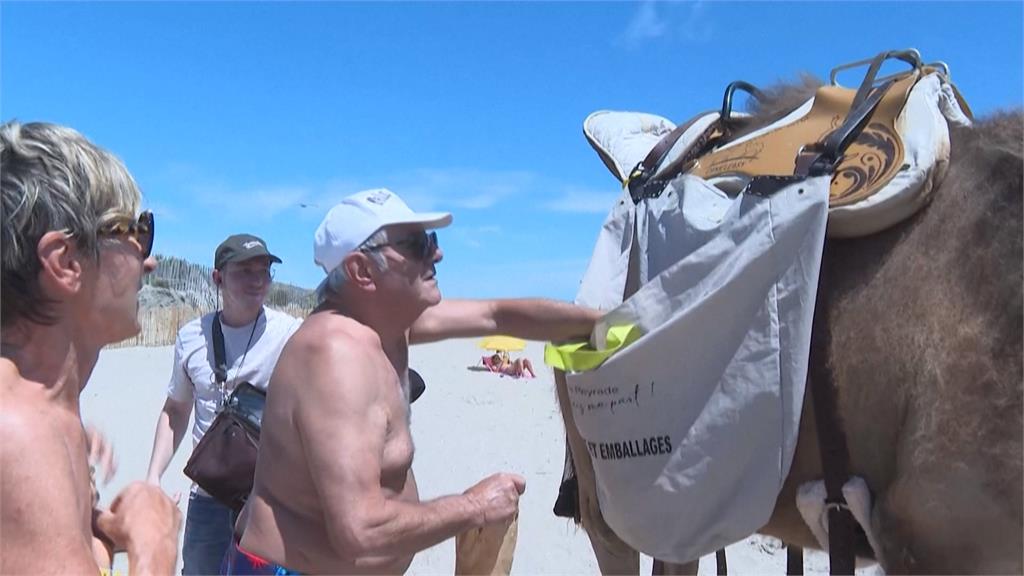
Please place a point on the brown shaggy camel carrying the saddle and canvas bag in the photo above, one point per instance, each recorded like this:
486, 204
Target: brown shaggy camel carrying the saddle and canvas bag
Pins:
925, 347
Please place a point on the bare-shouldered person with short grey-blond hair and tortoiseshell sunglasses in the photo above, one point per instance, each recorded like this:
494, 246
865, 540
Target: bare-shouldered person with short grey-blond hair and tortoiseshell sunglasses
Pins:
74, 253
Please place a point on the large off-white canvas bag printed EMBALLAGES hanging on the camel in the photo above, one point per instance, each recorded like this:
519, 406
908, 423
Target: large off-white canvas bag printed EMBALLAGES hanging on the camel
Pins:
693, 428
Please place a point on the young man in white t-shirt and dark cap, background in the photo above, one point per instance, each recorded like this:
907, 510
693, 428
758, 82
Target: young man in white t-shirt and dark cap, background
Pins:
254, 337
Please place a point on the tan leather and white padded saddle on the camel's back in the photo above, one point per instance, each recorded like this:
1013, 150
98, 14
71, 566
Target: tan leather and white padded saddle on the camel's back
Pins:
887, 144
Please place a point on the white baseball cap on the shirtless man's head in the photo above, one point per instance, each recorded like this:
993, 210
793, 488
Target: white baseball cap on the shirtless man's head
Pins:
354, 221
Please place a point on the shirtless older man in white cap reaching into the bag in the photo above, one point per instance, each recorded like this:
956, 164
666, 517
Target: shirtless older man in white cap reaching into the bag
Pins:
334, 489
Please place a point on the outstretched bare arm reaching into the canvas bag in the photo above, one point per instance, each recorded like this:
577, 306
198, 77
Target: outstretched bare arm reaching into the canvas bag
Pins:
532, 319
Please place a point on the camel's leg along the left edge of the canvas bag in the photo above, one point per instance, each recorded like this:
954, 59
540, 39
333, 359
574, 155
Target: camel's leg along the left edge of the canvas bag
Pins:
614, 556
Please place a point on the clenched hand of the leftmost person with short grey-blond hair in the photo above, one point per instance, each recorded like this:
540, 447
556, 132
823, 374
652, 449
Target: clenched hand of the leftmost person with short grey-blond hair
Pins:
144, 522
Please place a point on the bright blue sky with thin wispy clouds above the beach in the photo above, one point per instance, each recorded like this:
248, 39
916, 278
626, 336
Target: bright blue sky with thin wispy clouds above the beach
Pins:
259, 117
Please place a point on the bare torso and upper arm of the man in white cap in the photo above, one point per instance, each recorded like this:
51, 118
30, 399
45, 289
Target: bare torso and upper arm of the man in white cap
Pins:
334, 384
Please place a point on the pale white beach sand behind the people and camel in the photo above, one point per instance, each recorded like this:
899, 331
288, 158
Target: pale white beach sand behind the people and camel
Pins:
467, 426
